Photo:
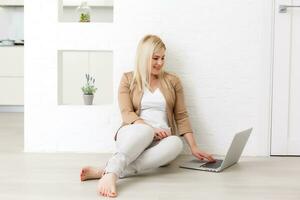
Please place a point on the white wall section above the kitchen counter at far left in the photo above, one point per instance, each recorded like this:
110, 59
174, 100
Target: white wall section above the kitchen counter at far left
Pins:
11, 23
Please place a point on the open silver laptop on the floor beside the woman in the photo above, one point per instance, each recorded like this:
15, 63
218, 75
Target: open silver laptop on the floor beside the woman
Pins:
233, 155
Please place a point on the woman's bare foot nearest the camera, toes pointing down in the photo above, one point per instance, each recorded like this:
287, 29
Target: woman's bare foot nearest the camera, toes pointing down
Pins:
107, 185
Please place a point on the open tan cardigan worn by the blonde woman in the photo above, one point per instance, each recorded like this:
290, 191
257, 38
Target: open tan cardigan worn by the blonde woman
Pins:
130, 103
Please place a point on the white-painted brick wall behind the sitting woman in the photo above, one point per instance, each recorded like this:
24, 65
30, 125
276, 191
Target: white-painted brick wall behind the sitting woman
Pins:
220, 49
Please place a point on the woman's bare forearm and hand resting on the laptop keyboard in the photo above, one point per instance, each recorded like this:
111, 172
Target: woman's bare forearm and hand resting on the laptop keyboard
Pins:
189, 138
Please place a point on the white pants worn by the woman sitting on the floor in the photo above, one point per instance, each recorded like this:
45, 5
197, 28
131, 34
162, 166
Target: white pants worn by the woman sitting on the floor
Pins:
136, 150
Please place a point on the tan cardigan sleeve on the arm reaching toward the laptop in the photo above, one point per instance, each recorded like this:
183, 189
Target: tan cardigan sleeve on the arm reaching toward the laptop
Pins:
180, 111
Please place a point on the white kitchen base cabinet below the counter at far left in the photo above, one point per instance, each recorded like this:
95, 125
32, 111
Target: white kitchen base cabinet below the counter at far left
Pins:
11, 75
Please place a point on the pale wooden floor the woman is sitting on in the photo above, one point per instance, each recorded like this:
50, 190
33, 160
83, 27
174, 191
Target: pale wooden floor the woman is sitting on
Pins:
56, 176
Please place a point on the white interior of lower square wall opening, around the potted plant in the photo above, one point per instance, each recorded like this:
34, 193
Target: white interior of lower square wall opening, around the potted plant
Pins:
73, 67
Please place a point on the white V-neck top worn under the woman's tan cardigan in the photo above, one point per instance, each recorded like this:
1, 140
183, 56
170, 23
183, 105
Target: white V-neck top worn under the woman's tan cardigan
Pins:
153, 109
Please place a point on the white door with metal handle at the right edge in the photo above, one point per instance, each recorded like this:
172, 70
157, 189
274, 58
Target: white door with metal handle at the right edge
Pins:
285, 138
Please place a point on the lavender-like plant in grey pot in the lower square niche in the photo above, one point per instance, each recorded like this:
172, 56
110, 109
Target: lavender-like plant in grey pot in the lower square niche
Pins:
88, 90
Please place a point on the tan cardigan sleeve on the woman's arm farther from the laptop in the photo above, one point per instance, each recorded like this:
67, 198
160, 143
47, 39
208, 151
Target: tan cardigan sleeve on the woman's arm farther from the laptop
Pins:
125, 102
